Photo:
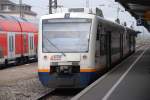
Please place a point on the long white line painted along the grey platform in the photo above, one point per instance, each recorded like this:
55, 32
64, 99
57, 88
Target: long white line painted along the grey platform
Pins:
122, 77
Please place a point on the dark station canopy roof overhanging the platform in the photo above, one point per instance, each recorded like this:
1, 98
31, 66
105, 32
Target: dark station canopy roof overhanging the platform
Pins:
140, 9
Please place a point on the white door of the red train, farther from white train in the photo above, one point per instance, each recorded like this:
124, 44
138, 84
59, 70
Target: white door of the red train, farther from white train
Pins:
11, 45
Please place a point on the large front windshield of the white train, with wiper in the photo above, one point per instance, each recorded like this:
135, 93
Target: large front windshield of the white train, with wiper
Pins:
66, 35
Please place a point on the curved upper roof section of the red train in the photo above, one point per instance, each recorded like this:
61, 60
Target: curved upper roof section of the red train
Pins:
15, 24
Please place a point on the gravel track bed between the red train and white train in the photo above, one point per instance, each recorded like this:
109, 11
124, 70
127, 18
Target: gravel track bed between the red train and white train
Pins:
22, 83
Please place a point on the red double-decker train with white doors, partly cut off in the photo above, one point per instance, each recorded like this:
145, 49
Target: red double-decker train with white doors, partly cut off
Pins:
18, 40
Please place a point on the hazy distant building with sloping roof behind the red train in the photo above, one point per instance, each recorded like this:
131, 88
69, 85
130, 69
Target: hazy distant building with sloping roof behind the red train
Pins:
7, 7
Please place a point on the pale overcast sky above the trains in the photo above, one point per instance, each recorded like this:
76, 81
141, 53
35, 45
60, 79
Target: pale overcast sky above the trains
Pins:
109, 8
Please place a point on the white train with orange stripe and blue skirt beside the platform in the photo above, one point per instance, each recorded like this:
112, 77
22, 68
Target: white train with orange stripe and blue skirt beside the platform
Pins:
76, 47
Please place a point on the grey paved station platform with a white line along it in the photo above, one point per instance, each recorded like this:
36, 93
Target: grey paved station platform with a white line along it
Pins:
130, 80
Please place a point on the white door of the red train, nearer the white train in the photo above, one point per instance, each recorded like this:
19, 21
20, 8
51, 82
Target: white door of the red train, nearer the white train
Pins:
31, 44
